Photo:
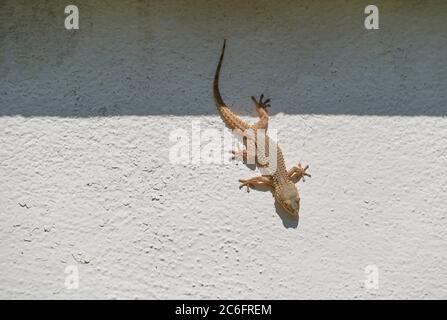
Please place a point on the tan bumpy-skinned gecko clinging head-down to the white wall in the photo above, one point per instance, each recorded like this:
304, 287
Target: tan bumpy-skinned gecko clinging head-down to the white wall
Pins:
274, 174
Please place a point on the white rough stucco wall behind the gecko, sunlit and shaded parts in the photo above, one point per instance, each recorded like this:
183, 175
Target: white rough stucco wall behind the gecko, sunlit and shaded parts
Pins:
85, 177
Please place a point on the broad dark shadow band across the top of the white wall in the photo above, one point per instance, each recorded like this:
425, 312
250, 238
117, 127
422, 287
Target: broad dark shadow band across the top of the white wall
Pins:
135, 57
